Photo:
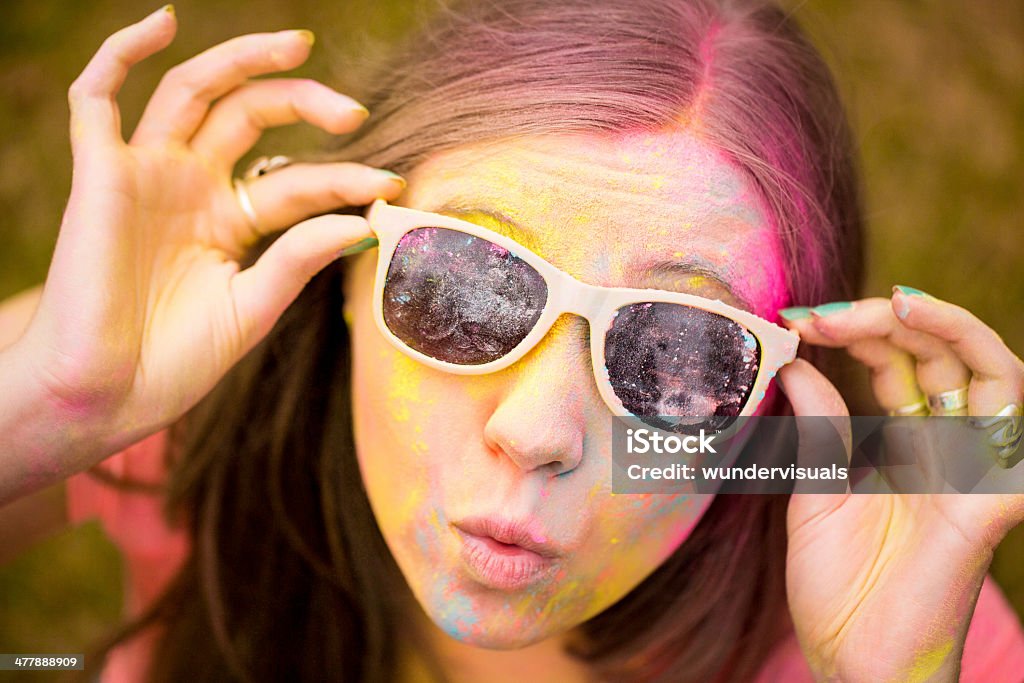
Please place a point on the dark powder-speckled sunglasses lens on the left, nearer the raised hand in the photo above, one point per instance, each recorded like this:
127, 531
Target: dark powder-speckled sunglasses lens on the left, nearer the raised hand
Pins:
460, 300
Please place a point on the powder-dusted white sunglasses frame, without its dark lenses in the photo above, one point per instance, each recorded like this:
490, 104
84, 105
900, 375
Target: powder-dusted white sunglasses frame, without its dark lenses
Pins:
566, 295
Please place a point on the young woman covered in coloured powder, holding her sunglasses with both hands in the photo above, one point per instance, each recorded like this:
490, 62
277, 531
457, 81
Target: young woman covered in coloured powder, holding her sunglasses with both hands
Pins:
338, 499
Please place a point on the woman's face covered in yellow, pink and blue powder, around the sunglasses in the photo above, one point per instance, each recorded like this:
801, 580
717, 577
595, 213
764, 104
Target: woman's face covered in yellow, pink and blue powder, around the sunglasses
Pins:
531, 445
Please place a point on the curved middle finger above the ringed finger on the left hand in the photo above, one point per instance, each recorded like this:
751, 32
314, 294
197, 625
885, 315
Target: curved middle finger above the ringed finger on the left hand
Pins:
236, 123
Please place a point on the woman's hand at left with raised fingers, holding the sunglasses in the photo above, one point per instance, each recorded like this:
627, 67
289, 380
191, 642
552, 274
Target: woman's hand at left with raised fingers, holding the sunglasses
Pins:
146, 307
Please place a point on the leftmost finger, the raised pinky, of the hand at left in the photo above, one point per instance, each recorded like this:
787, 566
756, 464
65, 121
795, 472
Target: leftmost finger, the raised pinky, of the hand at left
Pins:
95, 114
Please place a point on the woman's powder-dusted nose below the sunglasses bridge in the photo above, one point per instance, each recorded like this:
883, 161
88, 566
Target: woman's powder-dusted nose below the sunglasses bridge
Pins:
540, 421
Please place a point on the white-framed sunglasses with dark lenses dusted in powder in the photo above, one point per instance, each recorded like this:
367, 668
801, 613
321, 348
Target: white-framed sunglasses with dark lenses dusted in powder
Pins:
465, 300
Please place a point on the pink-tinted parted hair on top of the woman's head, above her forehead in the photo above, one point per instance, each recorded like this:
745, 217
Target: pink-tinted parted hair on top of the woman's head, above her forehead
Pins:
741, 75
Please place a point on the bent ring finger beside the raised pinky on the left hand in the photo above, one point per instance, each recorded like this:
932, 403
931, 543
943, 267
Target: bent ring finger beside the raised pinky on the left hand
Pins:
183, 99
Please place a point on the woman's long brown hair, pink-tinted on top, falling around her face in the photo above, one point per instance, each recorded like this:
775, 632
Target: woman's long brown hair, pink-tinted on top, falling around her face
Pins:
289, 577
